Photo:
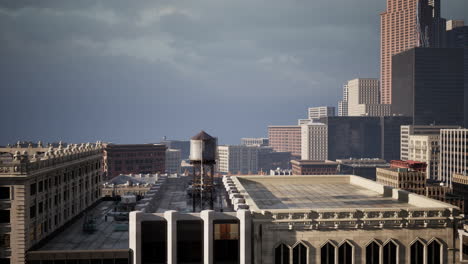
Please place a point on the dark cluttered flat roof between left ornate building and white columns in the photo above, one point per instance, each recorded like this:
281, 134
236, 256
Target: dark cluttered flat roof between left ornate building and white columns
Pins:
106, 235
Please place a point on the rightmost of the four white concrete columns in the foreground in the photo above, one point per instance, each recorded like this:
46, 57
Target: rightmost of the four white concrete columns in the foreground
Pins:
245, 235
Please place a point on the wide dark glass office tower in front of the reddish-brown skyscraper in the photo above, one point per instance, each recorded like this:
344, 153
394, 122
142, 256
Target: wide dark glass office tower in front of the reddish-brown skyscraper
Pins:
428, 84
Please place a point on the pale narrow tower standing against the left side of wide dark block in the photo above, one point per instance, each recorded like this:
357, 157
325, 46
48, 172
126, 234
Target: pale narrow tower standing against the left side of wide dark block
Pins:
314, 141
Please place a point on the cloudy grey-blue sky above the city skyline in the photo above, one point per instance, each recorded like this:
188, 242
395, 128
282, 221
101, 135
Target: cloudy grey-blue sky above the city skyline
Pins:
135, 71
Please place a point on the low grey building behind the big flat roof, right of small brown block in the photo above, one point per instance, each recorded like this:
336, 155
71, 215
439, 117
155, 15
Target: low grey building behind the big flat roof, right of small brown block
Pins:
365, 168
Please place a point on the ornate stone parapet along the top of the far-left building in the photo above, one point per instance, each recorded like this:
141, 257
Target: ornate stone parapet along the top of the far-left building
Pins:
24, 160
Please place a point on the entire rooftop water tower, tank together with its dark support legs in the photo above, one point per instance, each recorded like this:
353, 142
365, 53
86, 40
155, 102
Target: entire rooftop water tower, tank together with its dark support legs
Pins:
203, 158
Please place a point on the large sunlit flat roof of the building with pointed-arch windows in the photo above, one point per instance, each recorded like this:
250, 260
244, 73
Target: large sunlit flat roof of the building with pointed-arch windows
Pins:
325, 192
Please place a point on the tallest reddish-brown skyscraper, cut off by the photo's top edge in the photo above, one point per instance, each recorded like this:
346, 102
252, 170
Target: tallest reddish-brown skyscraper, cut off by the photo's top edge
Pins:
405, 25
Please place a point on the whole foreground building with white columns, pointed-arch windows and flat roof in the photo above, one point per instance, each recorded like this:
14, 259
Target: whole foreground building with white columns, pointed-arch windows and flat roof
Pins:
301, 219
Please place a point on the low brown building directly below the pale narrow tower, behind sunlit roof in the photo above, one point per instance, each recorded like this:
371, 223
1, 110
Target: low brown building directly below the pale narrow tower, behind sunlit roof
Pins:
314, 167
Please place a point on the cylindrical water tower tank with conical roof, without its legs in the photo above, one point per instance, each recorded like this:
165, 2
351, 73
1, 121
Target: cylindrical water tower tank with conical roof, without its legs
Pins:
203, 148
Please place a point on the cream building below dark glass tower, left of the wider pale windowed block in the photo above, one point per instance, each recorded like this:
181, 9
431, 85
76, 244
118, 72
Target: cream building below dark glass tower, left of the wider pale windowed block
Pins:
425, 148
